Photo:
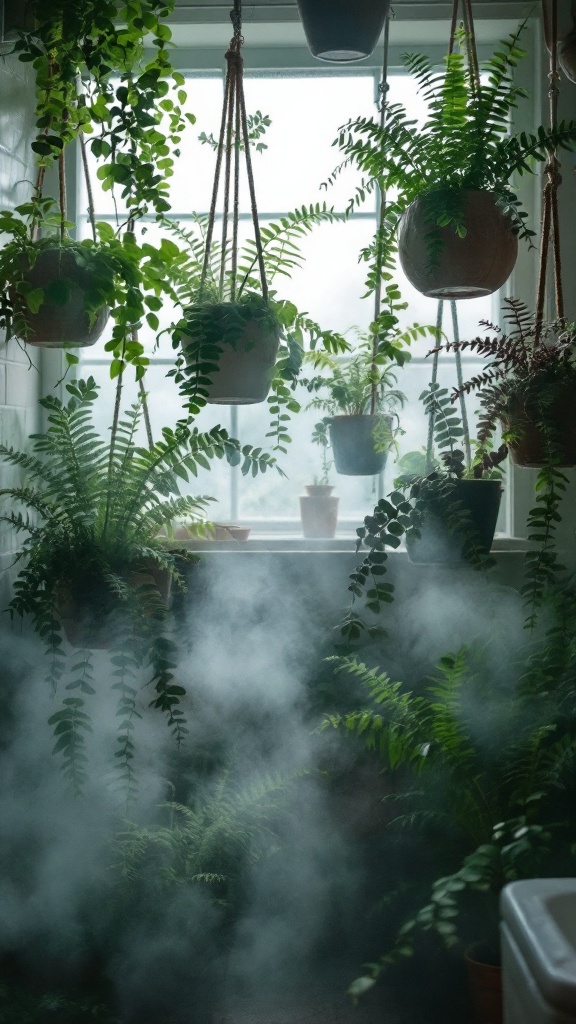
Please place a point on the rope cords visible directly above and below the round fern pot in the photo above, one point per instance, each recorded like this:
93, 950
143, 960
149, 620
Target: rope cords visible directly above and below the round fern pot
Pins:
474, 68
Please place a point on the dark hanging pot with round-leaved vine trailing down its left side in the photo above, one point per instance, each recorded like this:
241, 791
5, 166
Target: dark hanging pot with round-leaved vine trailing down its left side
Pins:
444, 508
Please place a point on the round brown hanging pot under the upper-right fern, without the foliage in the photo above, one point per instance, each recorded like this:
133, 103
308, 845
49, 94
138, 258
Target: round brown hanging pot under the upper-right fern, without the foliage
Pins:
447, 267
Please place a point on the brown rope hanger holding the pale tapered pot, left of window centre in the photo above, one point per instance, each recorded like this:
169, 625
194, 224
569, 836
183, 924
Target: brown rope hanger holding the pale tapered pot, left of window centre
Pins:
234, 138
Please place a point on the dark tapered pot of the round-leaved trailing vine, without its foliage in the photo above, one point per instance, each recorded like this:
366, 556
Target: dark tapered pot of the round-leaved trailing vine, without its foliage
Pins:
439, 542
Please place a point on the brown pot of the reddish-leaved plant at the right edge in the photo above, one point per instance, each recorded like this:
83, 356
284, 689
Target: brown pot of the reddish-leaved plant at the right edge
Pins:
531, 449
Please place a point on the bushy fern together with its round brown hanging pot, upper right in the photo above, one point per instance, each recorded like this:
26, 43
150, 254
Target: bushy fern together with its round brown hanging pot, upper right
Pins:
458, 215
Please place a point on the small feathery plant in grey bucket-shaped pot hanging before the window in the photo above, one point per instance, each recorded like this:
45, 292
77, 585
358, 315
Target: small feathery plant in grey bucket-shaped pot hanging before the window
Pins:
358, 392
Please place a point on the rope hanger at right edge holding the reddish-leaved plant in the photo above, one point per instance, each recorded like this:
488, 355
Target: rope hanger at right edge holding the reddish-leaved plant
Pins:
551, 222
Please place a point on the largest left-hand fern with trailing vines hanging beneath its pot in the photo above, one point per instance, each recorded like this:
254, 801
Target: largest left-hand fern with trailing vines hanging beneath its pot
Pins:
93, 513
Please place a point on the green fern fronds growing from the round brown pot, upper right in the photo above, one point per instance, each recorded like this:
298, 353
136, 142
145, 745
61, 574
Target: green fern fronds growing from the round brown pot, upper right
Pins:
464, 144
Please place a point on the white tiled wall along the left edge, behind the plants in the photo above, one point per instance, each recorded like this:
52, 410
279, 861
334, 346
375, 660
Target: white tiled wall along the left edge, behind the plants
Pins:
20, 379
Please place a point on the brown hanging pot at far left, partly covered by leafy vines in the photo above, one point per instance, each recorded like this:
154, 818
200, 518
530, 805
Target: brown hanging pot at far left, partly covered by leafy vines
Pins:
64, 276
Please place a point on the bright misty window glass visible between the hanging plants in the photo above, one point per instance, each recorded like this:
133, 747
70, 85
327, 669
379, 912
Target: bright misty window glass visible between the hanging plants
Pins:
331, 286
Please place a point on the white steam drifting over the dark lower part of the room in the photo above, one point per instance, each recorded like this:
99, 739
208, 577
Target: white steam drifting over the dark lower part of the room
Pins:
255, 631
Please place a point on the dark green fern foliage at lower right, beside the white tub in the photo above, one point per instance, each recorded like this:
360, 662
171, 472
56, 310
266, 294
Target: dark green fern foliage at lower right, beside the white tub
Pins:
497, 799
